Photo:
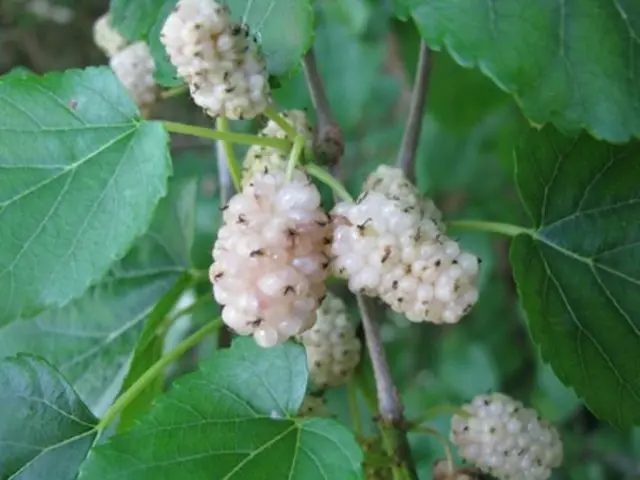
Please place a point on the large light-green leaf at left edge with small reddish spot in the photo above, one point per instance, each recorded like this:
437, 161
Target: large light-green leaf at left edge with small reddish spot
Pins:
81, 178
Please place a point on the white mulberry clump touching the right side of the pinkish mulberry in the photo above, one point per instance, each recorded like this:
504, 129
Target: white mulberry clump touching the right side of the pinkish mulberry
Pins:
391, 244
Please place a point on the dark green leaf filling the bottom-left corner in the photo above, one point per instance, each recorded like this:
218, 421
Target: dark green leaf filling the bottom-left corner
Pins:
45, 429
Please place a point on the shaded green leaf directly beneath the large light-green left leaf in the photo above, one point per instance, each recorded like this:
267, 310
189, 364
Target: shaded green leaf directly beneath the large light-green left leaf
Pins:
91, 339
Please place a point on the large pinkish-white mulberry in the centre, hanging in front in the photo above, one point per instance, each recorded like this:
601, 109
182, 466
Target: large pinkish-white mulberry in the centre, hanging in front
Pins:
269, 262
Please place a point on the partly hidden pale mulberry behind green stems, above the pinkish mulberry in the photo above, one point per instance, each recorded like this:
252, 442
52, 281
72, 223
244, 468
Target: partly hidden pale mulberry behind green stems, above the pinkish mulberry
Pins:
260, 159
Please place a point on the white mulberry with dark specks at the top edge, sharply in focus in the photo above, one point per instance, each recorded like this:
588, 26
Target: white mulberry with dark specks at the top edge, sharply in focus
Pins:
218, 59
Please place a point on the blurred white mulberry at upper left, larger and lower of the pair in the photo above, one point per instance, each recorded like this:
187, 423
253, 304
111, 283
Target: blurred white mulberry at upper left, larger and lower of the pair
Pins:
135, 68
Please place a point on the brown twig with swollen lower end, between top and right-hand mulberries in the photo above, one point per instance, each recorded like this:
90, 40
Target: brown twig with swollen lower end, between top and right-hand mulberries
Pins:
329, 144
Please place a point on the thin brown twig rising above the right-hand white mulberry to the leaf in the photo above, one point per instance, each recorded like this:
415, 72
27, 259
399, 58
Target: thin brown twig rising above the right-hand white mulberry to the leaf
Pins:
409, 146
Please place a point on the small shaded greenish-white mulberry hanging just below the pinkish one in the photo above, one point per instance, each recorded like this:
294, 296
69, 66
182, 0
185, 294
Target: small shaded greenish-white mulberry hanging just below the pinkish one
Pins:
333, 350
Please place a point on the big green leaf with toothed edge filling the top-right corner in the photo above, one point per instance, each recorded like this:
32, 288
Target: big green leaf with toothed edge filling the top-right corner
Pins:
557, 58
